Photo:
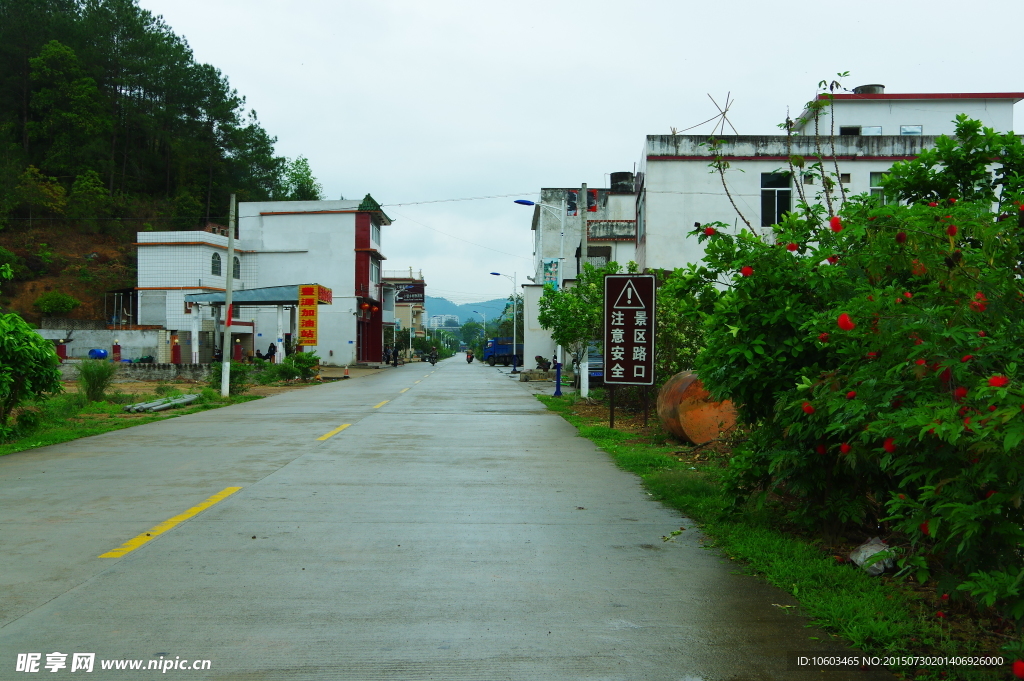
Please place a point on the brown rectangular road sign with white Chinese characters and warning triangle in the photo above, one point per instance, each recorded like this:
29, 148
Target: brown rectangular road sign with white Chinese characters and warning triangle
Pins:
629, 329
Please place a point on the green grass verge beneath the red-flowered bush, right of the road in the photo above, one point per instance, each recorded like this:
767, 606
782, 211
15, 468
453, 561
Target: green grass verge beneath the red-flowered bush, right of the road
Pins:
873, 615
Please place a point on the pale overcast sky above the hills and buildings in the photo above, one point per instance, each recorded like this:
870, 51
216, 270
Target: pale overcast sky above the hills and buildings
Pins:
440, 100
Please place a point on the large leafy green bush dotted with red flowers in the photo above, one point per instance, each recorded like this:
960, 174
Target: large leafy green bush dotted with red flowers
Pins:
903, 400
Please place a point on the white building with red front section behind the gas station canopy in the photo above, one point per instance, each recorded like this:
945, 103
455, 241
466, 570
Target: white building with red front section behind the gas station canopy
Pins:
335, 244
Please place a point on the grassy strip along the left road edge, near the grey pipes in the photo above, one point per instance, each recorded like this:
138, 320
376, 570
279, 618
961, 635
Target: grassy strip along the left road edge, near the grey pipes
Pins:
68, 417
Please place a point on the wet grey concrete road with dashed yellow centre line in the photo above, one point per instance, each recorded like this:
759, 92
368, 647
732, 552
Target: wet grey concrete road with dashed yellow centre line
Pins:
454, 530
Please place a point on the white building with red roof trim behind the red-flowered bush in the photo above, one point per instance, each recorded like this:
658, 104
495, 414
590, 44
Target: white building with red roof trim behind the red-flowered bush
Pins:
679, 190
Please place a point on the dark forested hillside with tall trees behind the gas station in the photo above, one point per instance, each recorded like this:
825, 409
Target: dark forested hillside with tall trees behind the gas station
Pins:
109, 126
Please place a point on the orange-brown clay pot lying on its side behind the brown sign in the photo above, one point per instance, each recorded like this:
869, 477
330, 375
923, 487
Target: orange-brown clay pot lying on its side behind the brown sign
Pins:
689, 413
